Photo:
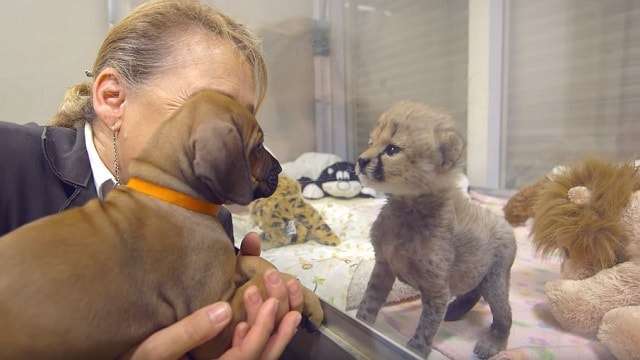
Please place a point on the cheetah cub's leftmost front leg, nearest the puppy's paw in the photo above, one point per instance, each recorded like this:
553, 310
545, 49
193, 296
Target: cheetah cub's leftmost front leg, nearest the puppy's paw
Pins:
378, 289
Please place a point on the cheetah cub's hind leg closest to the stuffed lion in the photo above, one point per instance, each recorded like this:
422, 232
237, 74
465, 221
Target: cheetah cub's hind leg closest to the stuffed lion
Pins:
495, 290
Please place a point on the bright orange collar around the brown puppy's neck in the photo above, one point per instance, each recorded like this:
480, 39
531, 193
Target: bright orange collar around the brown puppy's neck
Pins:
173, 197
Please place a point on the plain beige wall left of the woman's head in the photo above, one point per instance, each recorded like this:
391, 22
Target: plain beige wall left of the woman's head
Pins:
44, 48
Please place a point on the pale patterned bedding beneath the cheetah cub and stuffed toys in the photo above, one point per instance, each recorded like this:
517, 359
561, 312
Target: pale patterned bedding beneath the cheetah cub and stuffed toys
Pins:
339, 275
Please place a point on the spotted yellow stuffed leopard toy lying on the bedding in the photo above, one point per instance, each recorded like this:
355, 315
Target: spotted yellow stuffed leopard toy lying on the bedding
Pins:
285, 218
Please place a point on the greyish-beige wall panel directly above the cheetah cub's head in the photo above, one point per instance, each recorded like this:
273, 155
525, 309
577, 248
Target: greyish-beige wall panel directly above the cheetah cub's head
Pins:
407, 50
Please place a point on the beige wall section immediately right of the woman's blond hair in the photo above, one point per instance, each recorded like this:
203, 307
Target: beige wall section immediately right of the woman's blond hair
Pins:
285, 27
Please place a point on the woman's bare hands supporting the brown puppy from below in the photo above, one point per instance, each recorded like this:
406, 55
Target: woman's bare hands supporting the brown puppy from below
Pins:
260, 337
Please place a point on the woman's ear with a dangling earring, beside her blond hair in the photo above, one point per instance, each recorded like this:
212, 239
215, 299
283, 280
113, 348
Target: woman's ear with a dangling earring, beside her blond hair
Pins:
109, 95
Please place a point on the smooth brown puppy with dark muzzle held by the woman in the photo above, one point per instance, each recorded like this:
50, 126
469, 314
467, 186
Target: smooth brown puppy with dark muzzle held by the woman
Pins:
95, 281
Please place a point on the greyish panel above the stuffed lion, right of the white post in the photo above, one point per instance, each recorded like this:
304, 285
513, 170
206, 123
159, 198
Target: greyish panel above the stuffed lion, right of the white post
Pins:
573, 84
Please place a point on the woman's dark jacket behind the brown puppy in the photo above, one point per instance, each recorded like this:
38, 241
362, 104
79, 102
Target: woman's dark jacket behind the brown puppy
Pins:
45, 170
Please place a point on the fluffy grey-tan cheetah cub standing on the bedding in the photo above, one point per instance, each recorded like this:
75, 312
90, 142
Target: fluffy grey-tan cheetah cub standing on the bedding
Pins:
429, 235
